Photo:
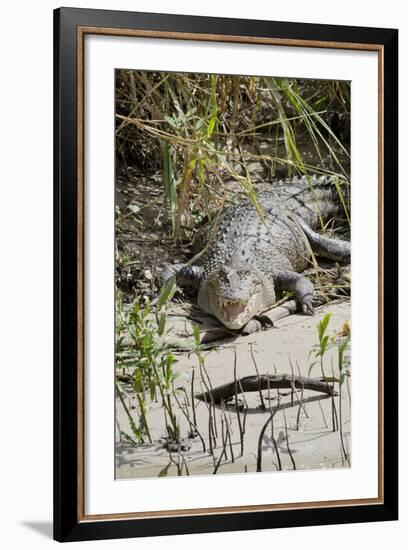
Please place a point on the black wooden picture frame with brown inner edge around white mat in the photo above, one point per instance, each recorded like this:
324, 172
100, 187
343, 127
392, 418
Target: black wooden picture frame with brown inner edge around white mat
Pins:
70, 28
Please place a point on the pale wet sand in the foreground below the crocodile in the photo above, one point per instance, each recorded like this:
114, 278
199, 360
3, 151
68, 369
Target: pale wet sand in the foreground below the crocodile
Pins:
300, 436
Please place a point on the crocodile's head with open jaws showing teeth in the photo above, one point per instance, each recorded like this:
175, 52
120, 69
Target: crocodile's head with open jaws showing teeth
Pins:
234, 296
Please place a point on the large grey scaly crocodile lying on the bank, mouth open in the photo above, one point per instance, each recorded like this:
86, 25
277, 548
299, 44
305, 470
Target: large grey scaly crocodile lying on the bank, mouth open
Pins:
253, 250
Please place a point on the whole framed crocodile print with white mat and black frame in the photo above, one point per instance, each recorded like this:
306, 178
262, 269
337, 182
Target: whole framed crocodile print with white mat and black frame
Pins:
225, 274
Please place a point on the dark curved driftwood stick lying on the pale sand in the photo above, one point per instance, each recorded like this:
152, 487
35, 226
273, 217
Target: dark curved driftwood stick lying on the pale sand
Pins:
261, 381
